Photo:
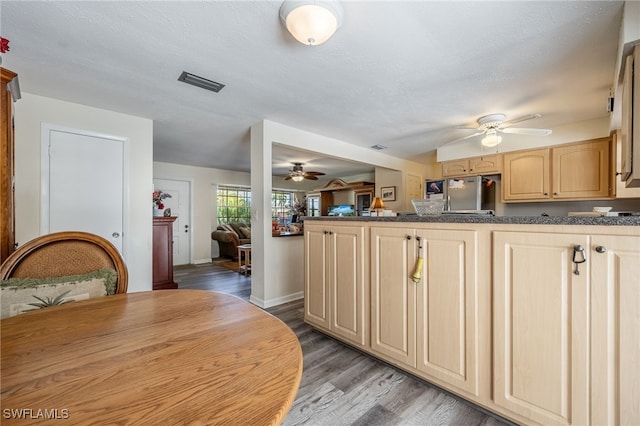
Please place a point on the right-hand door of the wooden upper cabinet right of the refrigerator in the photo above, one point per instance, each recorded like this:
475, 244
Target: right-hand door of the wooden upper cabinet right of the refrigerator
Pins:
581, 170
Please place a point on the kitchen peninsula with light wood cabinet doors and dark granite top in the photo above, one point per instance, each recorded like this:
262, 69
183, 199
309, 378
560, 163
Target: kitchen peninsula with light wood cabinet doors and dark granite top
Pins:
510, 313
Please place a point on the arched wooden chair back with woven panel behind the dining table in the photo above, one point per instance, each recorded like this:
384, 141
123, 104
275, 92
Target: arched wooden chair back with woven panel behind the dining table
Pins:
65, 253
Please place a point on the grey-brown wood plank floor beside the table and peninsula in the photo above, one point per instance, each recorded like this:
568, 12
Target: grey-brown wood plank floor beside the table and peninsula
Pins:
340, 385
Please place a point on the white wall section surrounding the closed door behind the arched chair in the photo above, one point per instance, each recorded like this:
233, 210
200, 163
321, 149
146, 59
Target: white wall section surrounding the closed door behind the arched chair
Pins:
33, 110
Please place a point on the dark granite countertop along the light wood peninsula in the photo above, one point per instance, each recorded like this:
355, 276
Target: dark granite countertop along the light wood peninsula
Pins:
507, 220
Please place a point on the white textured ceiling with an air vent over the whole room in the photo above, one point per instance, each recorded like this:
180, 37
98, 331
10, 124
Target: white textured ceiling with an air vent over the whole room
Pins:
403, 74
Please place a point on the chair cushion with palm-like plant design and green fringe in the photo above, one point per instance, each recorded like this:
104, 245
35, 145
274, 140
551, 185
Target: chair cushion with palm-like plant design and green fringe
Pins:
18, 295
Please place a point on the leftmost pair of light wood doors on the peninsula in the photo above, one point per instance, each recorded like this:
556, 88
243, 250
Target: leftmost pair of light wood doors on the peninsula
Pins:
336, 280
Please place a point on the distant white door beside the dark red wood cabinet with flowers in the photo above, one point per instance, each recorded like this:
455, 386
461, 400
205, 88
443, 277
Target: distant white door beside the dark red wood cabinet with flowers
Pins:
180, 205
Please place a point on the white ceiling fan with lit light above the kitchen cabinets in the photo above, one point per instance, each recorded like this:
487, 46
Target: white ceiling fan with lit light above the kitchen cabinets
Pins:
492, 124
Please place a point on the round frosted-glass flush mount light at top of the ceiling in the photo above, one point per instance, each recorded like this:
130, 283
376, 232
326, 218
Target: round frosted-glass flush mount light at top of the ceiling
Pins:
311, 22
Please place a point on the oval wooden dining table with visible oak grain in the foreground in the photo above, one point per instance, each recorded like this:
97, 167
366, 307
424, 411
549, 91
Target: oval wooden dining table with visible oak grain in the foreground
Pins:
159, 357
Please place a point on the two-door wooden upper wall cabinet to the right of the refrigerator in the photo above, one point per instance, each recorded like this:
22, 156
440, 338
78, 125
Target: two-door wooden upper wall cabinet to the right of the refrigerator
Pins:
579, 171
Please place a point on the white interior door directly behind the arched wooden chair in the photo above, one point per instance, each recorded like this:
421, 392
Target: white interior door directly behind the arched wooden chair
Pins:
83, 183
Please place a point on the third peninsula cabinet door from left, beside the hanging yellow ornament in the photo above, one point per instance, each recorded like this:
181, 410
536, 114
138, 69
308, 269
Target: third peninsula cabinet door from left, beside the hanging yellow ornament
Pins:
393, 331
